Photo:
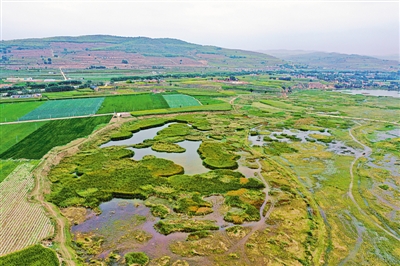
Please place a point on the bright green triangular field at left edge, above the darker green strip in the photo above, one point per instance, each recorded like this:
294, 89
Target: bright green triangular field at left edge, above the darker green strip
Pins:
14, 133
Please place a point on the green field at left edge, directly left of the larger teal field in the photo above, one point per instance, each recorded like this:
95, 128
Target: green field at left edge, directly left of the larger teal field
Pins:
12, 111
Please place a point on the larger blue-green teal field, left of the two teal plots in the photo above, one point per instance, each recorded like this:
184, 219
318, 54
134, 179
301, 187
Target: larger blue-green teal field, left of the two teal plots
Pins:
65, 108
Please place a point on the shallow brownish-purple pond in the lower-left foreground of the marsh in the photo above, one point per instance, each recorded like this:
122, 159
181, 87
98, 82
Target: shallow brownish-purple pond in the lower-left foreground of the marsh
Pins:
124, 223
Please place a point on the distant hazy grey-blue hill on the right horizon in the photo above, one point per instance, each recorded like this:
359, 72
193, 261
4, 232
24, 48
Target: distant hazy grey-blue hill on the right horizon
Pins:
335, 61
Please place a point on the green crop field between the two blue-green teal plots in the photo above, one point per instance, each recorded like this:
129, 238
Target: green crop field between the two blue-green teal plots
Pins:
128, 103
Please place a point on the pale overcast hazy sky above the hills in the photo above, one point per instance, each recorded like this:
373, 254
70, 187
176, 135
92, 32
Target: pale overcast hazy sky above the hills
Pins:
362, 27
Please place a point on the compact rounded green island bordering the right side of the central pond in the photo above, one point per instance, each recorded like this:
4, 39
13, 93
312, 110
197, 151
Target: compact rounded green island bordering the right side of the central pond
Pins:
218, 155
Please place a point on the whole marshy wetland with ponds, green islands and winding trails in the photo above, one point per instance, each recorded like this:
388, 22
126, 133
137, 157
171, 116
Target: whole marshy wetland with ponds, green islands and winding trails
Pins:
239, 187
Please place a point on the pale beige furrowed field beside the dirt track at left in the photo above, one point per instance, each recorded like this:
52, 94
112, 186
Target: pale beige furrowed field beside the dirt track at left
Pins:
23, 223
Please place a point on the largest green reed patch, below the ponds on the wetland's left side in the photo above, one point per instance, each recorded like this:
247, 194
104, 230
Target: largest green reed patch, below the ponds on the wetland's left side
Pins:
93, 176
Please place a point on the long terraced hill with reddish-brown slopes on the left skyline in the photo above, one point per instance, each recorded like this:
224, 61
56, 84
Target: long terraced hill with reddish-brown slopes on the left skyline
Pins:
104, 51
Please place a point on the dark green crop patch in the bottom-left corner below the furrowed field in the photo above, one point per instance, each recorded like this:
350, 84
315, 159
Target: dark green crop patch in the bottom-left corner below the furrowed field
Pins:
35, 255
